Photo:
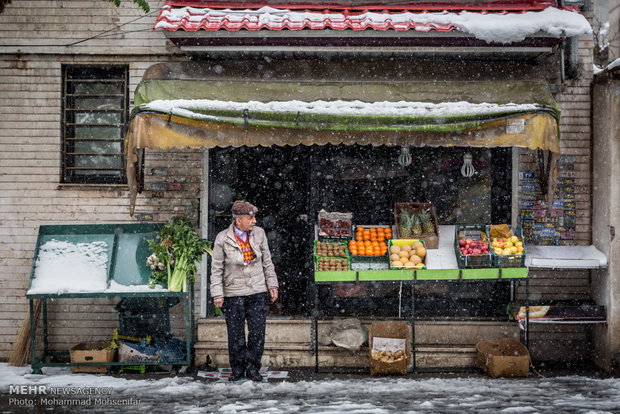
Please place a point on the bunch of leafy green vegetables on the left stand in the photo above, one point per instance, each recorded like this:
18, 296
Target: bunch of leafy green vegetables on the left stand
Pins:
175, 253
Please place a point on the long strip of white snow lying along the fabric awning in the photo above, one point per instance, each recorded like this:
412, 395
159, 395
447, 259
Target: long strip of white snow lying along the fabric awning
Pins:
185, 107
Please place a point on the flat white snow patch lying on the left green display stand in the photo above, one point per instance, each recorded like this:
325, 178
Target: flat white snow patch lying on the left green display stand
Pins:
64, 267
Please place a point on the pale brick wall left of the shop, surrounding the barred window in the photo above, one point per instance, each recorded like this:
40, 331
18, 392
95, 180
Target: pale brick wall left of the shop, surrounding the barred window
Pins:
30, 151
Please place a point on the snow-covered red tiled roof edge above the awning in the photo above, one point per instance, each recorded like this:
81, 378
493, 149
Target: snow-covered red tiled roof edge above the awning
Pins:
501, 27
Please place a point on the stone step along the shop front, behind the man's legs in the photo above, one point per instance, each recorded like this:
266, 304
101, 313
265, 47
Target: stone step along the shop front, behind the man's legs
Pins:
439, 344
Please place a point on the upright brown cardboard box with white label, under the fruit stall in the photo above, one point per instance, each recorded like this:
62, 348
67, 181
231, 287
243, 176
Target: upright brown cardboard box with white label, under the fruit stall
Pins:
392, 337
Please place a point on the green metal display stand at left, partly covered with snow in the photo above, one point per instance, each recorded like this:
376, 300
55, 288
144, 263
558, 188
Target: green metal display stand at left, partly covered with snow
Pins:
126, 266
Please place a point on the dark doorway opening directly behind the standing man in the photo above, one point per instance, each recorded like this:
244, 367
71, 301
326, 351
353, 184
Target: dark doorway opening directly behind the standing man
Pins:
276, 180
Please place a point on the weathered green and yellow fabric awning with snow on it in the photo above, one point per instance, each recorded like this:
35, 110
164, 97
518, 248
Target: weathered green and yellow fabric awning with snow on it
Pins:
177, 113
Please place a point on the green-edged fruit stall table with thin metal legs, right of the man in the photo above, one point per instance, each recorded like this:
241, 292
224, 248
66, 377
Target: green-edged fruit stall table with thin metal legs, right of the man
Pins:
409, 276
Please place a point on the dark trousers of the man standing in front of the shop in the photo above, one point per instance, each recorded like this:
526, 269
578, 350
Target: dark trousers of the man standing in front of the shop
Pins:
237, 310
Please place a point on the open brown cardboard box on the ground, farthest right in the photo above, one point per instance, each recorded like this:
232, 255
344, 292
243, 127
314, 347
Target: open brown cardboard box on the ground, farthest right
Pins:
503, 358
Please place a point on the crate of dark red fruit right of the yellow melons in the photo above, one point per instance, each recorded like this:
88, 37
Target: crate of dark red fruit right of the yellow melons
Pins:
471, 260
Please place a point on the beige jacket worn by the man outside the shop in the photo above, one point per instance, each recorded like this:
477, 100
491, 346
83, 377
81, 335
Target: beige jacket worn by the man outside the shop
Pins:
230, 276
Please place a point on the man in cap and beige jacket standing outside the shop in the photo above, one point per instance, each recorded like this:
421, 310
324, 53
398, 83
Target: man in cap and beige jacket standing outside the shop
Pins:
241, 274
